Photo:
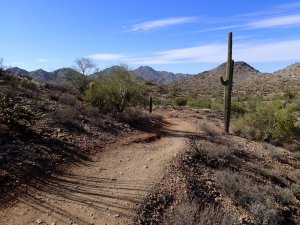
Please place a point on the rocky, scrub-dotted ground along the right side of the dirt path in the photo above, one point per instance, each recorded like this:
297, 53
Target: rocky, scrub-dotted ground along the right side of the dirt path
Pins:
224, 179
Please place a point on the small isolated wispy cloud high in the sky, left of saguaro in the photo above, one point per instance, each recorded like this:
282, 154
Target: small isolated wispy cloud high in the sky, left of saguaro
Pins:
161, 23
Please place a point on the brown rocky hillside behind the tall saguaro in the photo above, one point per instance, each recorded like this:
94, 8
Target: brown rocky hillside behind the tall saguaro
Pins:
246, 80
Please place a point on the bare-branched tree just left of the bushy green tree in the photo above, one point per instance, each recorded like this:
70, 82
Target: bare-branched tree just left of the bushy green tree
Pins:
78, 76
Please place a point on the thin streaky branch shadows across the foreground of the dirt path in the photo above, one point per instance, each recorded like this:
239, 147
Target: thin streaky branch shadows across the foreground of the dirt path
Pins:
89, 193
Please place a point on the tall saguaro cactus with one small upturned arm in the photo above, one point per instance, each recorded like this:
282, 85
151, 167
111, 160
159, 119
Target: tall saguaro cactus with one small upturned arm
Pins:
228, 85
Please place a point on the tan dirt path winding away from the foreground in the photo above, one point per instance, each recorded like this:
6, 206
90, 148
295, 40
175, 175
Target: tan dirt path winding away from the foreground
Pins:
106, 190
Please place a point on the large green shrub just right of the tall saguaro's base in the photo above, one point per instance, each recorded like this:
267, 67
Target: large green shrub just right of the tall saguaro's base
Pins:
268, 122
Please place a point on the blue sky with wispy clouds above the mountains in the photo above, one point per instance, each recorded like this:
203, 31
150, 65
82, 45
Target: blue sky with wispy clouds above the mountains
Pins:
179, 36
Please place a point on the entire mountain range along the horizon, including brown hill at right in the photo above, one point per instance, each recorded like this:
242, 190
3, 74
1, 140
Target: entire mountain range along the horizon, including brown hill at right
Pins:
246, 78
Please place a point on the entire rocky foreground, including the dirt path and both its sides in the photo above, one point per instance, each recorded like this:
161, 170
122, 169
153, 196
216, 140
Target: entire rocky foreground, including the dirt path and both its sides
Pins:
76, 166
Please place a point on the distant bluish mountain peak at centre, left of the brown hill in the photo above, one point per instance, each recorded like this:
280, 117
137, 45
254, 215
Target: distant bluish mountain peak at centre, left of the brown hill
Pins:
160, 77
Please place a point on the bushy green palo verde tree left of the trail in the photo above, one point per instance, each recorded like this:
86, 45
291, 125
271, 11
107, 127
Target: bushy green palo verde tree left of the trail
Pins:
115, 92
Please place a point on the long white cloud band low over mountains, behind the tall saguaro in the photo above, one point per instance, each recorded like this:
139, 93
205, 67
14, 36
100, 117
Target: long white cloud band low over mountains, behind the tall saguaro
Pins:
249, 51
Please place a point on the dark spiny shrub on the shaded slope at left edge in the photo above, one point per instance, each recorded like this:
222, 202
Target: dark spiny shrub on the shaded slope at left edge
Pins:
13, 115
